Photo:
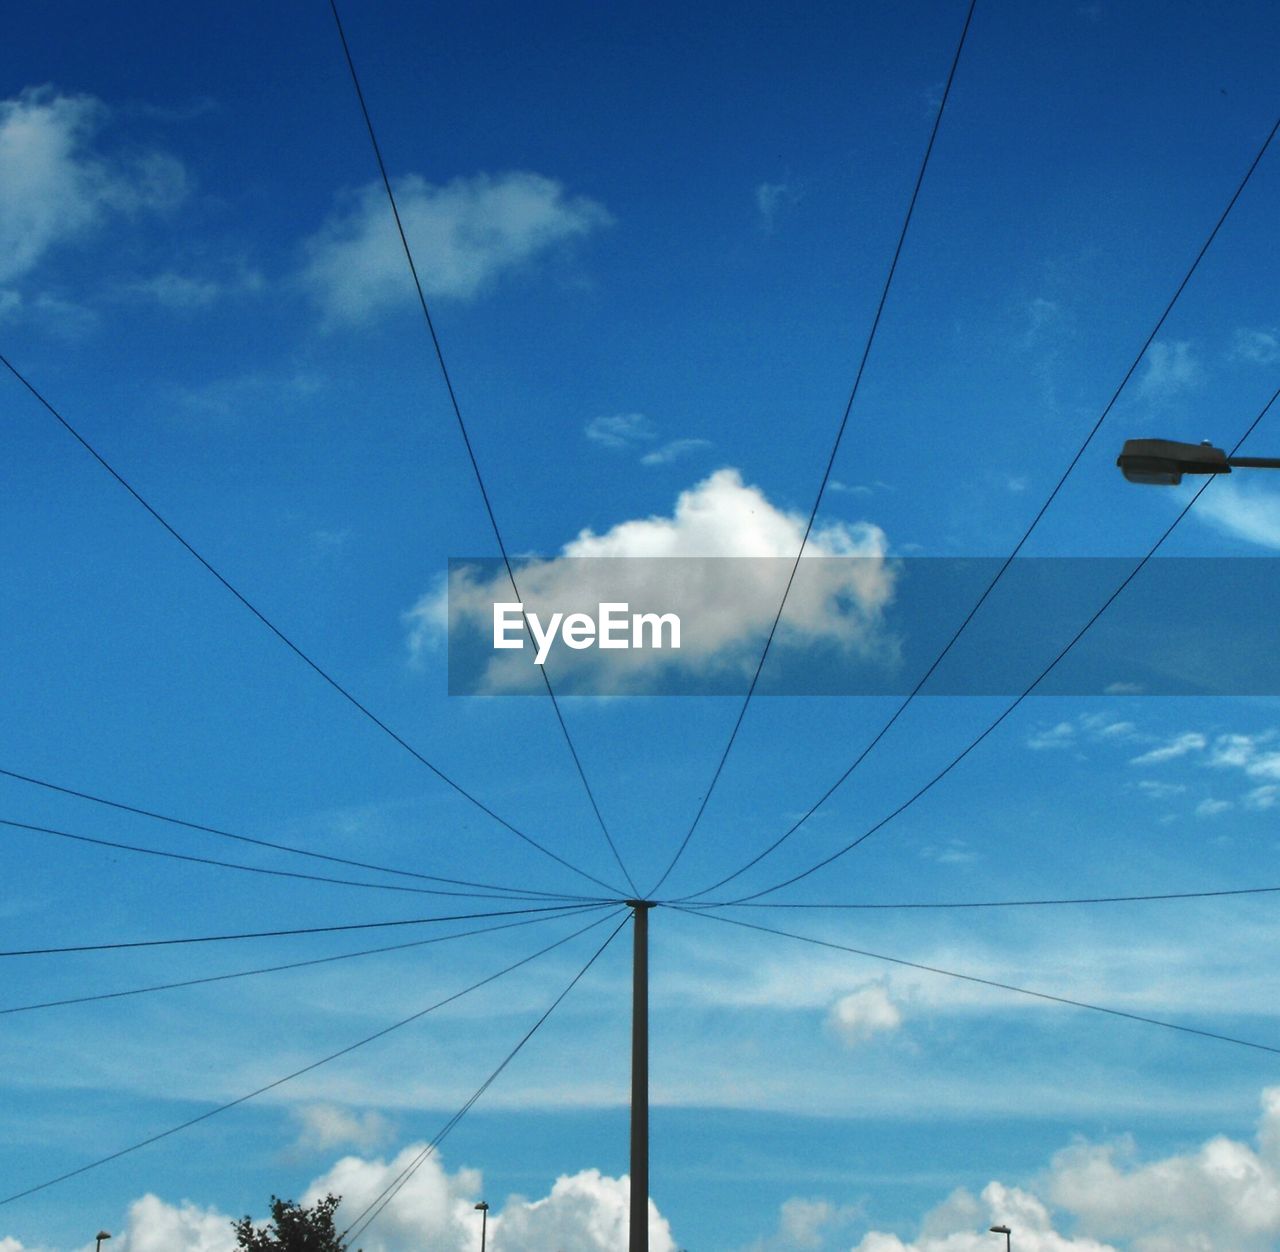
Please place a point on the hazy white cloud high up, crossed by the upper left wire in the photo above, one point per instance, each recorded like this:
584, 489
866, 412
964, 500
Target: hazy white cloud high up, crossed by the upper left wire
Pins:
465, 236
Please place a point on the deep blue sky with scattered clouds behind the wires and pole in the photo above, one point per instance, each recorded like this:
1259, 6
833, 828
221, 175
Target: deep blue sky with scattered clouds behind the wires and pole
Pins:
653, 243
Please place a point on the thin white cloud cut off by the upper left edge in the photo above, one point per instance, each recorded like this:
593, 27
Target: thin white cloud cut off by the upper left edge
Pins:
56, 188
